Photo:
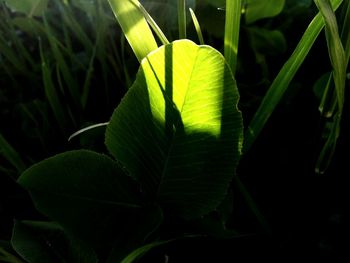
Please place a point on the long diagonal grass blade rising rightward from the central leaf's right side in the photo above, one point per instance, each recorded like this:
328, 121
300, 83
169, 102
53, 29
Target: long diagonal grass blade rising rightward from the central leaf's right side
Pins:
284, 77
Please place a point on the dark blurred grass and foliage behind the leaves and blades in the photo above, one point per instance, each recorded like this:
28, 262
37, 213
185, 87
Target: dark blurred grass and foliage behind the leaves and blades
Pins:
65, 65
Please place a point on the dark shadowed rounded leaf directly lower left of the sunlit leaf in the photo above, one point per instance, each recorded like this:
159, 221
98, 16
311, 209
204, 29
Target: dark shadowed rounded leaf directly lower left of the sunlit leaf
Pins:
86, 192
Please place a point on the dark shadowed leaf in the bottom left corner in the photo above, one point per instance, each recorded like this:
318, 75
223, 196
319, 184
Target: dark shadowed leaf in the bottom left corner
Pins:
46, 242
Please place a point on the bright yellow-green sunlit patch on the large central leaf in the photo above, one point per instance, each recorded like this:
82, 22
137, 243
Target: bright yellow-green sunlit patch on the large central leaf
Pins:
203, 113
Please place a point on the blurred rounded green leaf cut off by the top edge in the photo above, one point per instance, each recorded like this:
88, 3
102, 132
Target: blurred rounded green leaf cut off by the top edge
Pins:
259, 9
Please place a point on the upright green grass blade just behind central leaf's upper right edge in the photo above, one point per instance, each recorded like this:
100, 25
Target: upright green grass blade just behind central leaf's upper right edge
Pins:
232, 25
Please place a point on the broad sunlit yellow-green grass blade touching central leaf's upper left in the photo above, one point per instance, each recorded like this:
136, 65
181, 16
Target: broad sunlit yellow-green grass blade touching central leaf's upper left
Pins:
134, 26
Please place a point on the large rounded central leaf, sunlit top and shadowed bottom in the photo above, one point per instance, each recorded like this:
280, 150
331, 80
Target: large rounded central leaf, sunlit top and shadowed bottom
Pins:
178, 130
